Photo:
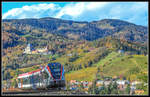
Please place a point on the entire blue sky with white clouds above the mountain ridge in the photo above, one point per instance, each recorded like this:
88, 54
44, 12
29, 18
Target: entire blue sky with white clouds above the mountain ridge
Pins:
134, 12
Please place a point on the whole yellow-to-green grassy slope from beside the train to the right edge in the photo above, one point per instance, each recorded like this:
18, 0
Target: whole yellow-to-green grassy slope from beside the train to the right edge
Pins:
115, 64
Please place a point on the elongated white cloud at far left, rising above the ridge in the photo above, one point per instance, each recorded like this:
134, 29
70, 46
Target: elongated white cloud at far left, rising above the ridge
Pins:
34, 11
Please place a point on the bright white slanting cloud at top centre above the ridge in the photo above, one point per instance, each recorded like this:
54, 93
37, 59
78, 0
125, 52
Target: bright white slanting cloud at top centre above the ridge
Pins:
75, 10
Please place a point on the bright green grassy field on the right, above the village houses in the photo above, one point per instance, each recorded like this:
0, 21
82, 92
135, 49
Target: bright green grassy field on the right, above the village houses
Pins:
130, 66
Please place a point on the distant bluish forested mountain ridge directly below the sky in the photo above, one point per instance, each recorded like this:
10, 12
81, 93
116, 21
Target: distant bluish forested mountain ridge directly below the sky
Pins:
81, 30
